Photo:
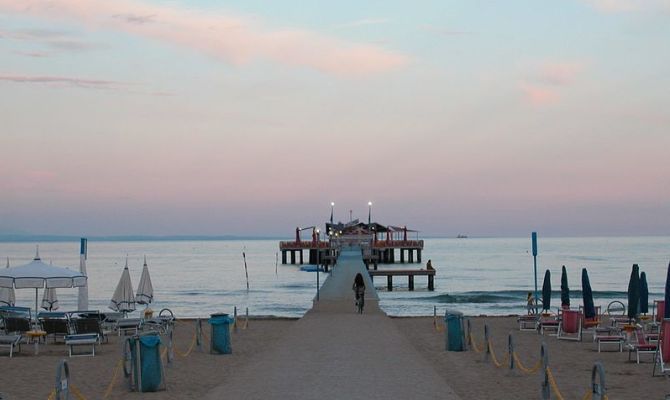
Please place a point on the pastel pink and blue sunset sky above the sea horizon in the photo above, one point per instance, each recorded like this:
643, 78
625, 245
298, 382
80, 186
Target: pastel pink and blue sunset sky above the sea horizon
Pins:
486, 118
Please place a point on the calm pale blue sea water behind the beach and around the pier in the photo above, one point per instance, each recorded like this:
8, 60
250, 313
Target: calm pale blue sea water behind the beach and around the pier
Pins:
475, 276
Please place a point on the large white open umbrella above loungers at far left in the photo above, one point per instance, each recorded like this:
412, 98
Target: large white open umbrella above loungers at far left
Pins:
37, 275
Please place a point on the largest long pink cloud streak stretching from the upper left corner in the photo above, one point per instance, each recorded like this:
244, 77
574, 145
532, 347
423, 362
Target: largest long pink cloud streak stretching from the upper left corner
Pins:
237, 40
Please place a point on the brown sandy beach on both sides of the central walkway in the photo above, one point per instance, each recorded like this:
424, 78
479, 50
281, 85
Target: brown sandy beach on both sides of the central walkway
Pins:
29, 376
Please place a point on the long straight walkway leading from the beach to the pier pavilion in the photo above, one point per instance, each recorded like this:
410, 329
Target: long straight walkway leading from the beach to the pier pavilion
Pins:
335, 353
